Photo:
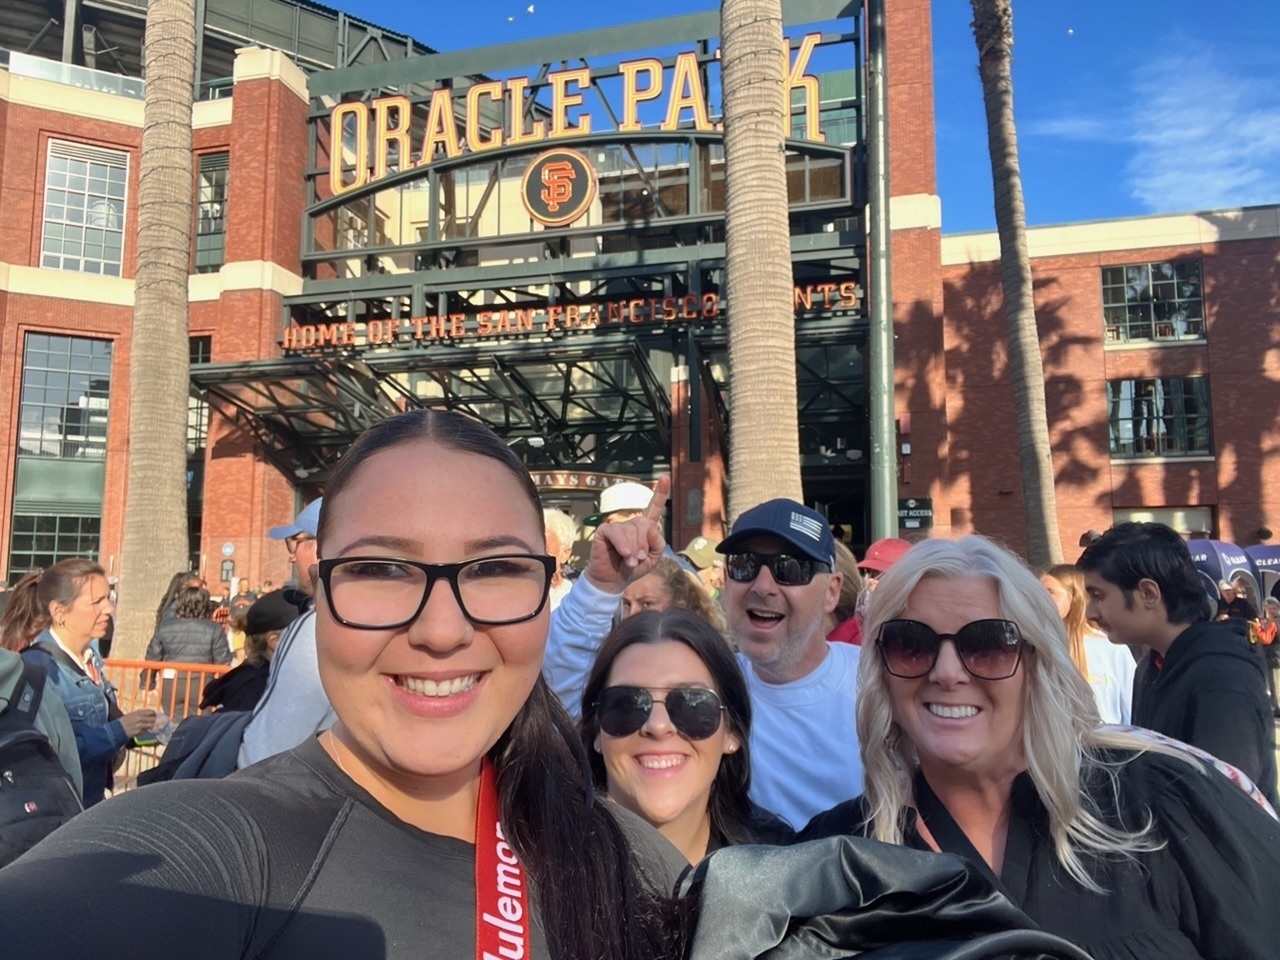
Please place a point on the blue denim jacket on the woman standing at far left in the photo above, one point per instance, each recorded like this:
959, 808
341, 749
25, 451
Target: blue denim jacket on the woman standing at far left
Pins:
98, 739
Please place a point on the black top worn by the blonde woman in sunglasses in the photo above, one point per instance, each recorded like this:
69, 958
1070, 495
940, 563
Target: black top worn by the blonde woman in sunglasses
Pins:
1206, 895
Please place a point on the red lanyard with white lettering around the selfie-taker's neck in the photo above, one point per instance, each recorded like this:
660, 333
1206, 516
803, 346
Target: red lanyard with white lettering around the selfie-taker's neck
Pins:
502, 895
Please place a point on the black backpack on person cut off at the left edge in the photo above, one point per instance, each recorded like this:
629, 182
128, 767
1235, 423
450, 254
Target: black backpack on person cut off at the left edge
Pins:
36, 794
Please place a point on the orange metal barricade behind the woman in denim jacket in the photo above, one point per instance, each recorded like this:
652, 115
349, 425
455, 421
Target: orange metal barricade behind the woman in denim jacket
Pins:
173, 688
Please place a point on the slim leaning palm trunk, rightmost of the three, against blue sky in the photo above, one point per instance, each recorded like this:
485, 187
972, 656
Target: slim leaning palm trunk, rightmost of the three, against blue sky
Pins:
994, 33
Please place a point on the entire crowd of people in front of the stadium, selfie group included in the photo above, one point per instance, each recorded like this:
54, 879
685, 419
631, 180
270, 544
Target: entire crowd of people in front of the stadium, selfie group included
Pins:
446, 742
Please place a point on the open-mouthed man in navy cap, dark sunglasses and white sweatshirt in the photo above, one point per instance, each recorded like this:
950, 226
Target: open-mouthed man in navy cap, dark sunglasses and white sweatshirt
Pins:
780, 586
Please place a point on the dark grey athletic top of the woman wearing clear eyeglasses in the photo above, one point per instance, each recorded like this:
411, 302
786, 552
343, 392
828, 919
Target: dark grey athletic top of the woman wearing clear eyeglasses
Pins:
289, 861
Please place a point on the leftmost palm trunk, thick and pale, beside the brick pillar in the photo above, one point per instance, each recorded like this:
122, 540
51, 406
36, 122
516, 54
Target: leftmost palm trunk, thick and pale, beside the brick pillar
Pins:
156, 506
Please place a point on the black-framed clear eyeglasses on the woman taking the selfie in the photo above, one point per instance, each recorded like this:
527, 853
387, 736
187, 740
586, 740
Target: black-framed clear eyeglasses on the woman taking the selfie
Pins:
381, 593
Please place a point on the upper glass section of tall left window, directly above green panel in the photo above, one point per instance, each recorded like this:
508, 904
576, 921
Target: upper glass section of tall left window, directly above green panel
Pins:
66, 394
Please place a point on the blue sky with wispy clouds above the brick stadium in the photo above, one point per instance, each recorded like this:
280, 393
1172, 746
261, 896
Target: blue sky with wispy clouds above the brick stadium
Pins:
1124, 107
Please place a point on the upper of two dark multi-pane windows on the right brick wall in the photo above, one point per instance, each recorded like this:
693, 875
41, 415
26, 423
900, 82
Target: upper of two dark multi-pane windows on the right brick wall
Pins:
1154, 303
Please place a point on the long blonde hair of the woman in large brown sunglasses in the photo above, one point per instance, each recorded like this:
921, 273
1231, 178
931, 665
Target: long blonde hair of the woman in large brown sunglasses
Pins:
1062, 739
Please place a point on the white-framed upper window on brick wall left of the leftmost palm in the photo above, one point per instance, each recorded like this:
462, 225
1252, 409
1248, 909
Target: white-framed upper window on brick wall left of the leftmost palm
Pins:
84, 222
